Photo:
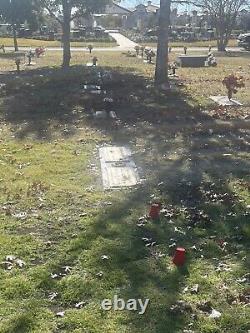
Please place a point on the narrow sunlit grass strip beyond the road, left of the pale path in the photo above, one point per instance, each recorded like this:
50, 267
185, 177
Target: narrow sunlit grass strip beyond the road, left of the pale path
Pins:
26, 42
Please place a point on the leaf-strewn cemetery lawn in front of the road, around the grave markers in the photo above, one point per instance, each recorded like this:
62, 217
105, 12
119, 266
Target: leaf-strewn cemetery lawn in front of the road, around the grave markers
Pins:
65, 244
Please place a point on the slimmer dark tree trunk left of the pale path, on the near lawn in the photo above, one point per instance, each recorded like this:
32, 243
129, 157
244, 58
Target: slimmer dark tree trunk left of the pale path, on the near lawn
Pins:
66, 34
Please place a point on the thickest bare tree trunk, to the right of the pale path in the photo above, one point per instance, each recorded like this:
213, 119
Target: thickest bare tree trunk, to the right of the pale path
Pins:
161, 70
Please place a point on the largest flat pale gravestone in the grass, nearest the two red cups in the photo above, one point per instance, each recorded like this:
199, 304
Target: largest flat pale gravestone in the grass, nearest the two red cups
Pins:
118, 168
